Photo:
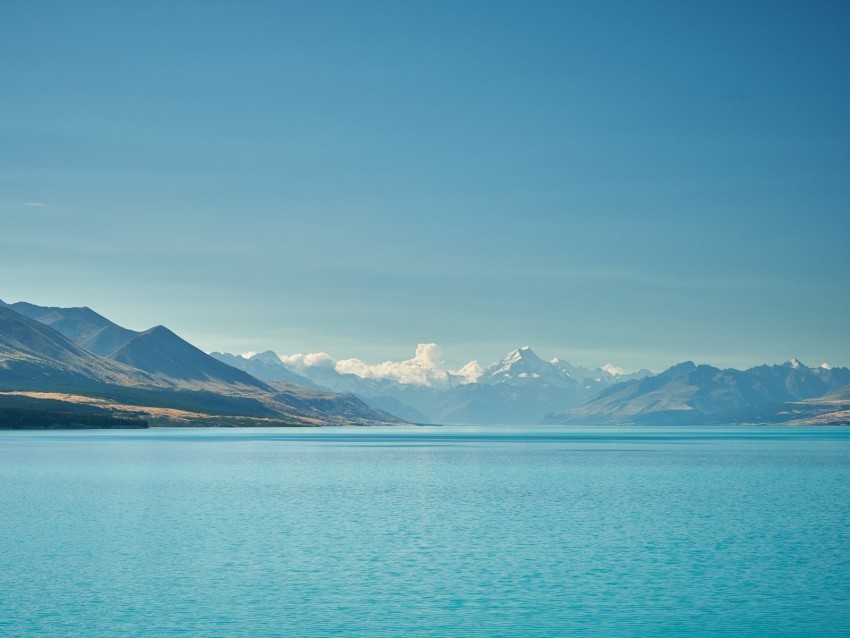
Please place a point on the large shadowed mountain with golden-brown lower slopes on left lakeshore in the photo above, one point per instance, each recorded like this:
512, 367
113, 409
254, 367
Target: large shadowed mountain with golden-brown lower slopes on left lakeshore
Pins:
156, 372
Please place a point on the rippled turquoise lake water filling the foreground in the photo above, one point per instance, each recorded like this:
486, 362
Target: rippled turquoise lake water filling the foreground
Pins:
426, 532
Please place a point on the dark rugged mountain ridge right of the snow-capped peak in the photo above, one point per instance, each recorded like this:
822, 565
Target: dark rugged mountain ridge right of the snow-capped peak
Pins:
688, 393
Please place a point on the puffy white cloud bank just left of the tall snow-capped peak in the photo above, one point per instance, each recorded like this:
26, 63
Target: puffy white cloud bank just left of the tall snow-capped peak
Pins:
425, 368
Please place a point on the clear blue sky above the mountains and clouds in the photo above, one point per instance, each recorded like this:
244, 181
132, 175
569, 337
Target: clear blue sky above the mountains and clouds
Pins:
635, 183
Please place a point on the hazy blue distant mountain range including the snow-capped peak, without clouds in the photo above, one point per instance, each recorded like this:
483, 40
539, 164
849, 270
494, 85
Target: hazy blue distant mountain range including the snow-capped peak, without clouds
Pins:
523, 388
